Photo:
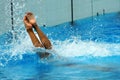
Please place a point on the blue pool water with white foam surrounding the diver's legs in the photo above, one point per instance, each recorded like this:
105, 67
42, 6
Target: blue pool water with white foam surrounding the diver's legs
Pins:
89, 50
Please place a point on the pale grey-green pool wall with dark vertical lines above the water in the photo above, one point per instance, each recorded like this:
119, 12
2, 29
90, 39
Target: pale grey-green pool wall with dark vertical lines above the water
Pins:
54, 12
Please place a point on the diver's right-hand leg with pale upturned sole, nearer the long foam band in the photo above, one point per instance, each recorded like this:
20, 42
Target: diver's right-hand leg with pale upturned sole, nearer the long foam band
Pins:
45, 41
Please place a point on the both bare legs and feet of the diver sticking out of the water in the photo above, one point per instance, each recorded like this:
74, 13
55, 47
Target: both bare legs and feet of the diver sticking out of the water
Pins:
30, 23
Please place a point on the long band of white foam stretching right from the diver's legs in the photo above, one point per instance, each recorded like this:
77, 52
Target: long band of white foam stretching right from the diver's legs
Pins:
80, 48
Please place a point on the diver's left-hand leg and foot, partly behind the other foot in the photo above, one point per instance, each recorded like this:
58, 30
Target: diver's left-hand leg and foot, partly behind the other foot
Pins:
33, 37
